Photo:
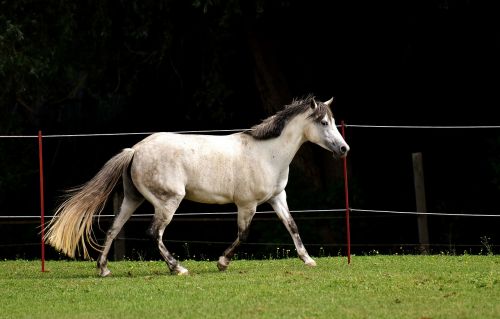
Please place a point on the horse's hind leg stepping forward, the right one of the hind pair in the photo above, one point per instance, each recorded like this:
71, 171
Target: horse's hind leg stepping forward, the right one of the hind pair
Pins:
164, 211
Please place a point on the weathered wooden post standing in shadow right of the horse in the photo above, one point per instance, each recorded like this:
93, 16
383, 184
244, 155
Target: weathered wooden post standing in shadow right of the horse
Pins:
423, 231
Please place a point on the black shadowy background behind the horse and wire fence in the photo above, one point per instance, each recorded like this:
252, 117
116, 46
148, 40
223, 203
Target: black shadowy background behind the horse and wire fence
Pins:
148, 66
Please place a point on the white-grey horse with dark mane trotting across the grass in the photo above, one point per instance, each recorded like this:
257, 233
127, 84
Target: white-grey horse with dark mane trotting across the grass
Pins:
248, 169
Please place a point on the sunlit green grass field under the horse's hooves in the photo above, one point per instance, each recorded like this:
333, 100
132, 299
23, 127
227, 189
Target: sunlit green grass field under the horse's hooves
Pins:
371, 287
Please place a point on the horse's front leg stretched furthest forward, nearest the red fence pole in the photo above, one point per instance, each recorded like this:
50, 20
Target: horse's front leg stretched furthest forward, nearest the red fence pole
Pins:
280, 206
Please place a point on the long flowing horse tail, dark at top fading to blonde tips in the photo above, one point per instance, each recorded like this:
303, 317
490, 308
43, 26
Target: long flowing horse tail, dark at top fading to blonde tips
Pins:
71, 227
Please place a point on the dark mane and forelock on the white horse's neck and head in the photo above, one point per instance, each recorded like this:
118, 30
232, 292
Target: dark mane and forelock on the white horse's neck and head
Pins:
274, 125
